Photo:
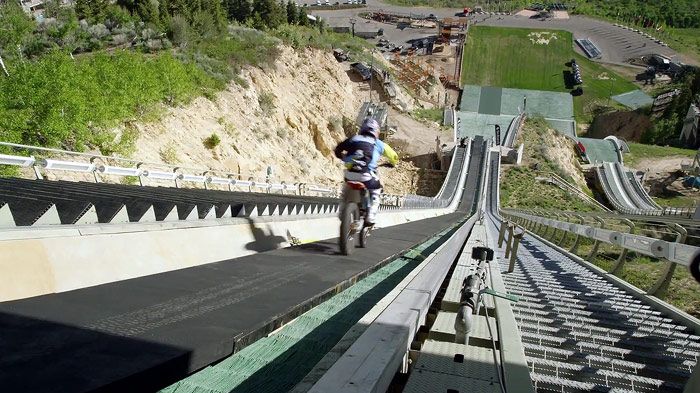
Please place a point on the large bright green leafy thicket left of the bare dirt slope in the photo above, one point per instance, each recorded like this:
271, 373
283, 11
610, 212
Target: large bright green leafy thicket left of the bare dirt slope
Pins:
59, 101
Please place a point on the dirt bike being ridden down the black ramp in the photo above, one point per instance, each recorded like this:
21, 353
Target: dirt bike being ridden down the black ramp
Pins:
356, 202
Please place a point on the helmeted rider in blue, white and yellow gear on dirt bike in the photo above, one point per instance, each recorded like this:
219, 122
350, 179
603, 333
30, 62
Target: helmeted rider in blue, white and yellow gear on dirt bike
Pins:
361, 154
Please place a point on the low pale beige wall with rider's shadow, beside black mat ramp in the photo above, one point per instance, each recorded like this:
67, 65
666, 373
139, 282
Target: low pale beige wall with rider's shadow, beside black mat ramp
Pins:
41, 261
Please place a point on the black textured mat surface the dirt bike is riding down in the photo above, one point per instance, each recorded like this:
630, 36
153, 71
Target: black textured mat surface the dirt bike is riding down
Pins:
144, 333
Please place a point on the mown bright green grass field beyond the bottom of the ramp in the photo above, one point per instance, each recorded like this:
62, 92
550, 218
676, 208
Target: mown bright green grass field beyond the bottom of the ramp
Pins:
510, 57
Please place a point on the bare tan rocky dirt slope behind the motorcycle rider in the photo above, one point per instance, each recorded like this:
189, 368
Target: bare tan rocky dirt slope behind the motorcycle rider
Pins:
290, 117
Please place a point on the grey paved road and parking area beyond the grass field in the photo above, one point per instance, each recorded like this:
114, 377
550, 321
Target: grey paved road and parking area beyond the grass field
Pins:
617, 44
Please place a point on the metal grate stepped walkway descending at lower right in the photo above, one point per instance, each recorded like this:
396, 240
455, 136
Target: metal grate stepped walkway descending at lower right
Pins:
581, 333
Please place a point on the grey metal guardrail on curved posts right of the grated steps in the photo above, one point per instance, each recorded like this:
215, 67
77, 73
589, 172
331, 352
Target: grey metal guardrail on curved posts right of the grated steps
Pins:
675, 253
